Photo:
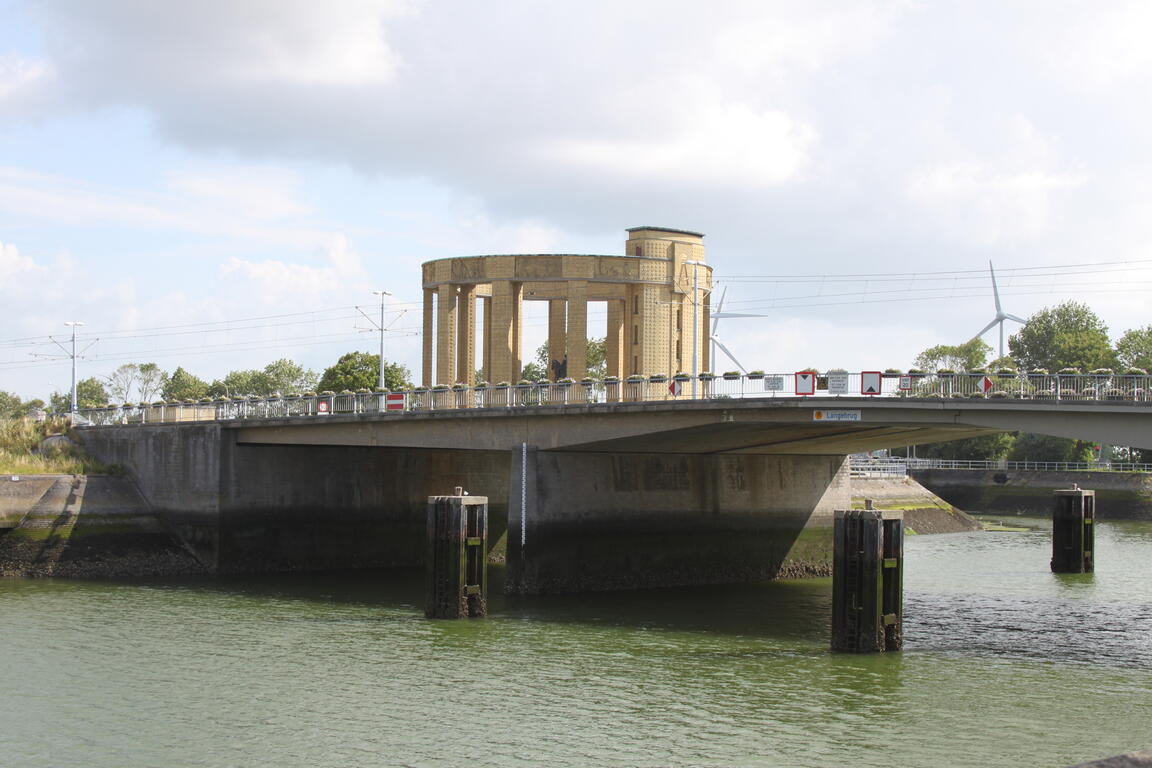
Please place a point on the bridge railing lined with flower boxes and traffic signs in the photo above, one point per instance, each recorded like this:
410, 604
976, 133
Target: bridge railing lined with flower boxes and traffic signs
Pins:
1055, 389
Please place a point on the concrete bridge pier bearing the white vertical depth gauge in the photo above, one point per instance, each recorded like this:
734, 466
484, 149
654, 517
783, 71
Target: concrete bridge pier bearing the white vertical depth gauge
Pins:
583, 522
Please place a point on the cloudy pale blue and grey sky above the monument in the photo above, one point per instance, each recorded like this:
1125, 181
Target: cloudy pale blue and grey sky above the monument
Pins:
223, 184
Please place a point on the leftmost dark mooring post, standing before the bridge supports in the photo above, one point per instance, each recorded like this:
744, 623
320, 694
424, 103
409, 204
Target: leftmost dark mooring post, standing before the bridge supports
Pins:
456, 561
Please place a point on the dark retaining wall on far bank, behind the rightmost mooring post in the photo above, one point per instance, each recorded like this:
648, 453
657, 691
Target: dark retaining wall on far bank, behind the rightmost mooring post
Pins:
1120, 496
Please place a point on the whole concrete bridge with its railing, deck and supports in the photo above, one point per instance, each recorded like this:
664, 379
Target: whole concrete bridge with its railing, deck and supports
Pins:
594, 486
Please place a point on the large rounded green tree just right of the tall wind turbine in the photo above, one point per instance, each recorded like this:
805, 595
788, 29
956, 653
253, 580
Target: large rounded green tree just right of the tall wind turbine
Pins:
1067, 337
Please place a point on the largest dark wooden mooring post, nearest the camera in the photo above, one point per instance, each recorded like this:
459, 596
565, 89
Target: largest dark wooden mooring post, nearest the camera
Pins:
868, 581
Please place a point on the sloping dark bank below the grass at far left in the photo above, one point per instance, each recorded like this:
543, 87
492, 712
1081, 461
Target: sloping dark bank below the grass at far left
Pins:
85, 527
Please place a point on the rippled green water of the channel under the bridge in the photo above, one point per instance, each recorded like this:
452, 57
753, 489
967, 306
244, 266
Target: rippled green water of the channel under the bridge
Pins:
1006, 665
